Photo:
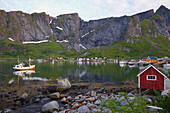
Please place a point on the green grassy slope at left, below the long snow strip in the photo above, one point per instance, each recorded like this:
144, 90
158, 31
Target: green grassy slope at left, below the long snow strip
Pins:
43, 50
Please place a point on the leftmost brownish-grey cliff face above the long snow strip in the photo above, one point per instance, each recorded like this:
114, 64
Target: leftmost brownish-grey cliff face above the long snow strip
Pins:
23, 27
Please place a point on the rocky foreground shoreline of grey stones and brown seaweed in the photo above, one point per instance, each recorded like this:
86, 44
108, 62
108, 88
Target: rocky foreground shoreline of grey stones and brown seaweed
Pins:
77, 98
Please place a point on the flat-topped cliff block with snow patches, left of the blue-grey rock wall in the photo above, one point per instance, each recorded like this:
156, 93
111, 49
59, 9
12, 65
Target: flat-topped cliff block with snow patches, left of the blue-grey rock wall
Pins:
66, 28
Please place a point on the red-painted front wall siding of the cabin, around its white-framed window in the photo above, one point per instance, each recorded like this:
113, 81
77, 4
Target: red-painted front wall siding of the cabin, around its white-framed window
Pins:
152, 84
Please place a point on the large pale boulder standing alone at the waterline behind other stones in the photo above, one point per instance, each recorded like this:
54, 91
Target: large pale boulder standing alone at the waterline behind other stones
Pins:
63, 84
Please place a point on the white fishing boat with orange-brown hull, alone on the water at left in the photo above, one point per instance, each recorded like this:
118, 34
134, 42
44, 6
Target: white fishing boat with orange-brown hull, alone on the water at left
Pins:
21, 66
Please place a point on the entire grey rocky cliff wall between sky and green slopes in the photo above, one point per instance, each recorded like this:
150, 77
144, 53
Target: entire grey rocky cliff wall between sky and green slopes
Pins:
79, 34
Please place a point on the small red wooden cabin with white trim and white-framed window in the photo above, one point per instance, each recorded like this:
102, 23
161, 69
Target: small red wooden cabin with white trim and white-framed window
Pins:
152, 78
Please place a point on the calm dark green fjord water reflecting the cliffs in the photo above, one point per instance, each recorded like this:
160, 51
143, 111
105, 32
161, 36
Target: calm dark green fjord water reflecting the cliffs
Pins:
75, 72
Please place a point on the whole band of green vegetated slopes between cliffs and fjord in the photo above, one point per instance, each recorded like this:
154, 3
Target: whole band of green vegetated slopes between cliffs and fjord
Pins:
131, 48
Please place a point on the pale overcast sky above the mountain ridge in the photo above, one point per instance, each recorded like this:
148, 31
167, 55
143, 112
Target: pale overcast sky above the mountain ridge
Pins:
87, 9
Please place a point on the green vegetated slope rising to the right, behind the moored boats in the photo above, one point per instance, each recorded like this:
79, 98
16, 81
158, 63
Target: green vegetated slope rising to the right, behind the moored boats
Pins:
136, 48
